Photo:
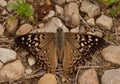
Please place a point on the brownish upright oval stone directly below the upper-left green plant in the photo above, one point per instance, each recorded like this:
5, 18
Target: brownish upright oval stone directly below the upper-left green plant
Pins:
12, 23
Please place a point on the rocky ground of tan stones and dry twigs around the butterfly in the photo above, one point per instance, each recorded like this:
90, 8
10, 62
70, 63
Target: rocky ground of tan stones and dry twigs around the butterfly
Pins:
83, 16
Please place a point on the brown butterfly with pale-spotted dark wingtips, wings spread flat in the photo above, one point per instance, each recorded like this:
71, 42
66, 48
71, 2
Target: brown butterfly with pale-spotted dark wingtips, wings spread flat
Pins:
68, 48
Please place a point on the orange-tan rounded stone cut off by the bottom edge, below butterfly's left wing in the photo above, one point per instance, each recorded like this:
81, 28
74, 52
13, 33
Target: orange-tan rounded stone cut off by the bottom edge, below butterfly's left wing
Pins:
48, 79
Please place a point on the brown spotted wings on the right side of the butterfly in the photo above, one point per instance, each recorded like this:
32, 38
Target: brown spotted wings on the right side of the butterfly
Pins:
77, 48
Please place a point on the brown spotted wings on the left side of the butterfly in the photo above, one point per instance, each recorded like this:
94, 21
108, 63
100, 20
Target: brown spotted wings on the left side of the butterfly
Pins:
41, 46
